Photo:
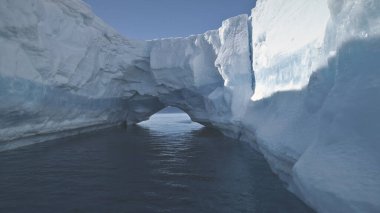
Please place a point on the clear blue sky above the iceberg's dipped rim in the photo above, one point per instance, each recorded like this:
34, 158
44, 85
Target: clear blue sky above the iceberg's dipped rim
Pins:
149, 19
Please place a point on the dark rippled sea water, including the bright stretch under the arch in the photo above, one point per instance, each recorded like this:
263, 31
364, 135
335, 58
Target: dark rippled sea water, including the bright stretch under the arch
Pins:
167, 164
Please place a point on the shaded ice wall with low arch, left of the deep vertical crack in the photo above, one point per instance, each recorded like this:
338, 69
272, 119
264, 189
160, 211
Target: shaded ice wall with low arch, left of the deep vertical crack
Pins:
64, 71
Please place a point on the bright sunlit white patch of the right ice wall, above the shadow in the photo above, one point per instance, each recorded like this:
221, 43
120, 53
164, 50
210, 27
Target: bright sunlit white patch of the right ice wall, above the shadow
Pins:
287, 43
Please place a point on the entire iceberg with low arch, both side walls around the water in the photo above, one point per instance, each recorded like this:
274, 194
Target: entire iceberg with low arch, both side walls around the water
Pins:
313, 113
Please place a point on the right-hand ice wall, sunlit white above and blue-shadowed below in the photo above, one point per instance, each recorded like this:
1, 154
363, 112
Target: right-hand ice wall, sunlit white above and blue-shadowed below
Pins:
316, 102
